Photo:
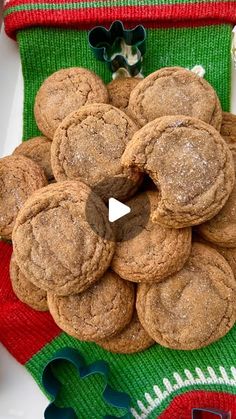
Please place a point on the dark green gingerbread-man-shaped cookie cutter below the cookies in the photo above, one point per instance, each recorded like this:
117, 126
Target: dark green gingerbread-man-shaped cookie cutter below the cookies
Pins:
52, 385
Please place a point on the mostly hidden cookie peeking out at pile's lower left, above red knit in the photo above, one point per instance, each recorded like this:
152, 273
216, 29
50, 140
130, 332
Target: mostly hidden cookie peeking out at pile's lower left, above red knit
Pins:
25, 290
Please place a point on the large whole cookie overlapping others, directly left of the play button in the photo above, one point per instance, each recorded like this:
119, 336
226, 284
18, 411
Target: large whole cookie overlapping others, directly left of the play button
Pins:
54, 245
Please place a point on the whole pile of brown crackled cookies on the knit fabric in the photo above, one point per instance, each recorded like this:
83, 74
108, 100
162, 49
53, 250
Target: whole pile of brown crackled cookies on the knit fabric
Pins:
161, 146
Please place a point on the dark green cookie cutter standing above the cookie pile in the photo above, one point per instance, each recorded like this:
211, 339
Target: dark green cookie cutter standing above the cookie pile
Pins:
120, 48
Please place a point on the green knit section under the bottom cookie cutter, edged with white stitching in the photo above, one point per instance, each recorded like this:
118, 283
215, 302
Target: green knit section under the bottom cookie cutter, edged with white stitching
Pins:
137, 374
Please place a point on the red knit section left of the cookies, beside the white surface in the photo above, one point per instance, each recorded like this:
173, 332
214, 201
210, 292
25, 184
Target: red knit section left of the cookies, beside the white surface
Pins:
23, 331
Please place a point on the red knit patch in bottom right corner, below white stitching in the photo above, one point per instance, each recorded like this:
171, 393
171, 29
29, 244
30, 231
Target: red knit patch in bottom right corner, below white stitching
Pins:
181, 406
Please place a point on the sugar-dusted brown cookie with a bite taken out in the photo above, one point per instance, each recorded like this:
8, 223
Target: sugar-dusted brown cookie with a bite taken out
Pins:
191, 165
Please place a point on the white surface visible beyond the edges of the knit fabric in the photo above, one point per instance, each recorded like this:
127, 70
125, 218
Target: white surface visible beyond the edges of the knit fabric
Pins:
20, 397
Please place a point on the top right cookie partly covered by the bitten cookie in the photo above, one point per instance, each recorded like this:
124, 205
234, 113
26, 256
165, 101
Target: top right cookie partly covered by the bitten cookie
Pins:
175, 91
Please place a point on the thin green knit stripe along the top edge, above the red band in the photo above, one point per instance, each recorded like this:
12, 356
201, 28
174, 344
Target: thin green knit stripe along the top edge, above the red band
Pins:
96, 4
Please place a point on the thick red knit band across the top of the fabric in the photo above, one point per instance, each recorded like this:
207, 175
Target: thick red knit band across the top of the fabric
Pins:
84, 18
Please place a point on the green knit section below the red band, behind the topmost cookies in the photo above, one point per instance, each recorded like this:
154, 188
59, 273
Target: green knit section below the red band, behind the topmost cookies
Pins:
208, 46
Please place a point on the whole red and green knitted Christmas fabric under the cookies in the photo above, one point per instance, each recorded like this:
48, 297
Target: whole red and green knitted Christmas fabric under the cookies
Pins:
161, 382
